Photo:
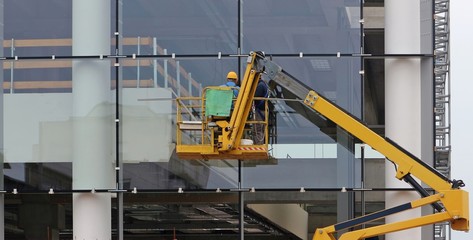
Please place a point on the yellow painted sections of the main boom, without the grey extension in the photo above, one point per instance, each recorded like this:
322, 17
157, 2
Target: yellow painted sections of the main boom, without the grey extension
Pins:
455, 201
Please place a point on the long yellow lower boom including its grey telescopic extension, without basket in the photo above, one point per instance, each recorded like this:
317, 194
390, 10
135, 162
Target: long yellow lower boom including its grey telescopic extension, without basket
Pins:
450, 202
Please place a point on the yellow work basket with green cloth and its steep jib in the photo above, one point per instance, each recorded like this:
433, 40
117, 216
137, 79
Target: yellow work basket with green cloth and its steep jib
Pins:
219, 126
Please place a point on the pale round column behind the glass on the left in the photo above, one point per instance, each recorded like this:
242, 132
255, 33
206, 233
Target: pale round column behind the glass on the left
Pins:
93, 165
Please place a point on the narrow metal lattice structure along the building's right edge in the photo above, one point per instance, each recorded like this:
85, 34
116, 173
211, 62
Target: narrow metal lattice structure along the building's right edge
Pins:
442, 99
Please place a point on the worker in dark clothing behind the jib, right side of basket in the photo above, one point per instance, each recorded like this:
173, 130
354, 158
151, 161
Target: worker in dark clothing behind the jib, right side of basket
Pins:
259, 106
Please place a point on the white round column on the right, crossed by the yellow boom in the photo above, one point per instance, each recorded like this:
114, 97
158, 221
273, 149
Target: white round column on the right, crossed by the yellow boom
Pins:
403, 99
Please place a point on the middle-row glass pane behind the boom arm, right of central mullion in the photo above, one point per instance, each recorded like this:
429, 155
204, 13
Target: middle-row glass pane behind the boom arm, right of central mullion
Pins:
321, 155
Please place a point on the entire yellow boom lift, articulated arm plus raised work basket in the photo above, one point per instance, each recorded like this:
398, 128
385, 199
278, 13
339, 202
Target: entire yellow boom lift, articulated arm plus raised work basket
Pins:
449, 200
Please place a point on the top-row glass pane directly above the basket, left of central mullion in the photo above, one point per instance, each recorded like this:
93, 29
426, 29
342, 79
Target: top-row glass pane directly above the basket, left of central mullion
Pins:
182, 27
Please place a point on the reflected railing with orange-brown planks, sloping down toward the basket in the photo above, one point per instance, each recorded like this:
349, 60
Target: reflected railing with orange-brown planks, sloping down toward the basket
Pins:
143, 45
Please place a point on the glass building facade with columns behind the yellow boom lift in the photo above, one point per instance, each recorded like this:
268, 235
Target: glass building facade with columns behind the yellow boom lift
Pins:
89, 115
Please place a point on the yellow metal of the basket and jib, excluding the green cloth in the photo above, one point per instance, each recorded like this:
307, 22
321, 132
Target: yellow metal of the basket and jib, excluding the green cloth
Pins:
212, 137
